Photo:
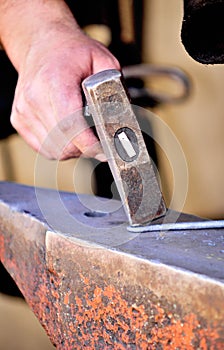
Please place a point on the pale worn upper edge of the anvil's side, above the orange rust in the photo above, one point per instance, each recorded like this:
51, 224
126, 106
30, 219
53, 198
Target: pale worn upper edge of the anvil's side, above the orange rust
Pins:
164, 275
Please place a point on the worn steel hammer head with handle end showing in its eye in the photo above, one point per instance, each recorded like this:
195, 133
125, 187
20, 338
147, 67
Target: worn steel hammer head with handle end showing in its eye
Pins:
123, 144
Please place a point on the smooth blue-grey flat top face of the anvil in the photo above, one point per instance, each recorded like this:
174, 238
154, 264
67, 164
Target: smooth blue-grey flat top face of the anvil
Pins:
105, 223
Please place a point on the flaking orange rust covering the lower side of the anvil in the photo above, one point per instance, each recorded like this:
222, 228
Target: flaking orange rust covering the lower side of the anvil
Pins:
99, 316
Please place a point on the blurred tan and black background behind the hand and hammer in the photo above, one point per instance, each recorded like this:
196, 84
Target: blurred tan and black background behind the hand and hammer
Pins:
138, 32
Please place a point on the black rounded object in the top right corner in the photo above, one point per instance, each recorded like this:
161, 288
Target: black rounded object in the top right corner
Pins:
203, 30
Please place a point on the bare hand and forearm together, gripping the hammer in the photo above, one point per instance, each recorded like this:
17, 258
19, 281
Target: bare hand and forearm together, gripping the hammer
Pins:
52, 56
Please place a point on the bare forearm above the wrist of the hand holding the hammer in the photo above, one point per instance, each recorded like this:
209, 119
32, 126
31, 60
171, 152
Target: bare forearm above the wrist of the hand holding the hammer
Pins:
25, 23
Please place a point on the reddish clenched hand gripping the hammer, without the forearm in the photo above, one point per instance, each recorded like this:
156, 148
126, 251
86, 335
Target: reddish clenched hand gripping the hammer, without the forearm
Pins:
48, 98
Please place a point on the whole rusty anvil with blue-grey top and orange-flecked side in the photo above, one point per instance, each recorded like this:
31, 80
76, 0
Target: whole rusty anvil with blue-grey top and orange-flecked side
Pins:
94, 285
